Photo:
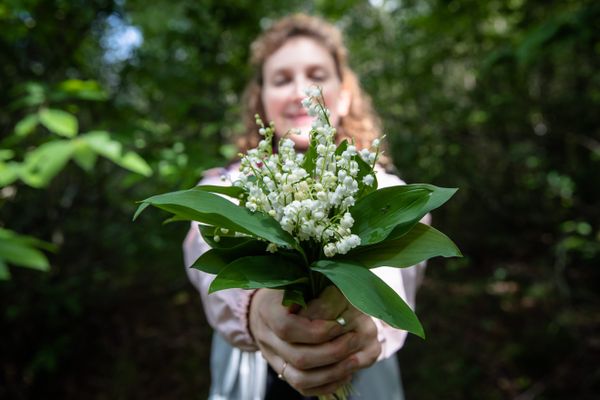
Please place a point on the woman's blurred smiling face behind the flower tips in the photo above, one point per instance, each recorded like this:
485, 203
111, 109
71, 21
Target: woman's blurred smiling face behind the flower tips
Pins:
300, 63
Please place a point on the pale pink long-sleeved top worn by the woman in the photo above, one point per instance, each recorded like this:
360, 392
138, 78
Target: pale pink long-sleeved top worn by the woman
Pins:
227, 310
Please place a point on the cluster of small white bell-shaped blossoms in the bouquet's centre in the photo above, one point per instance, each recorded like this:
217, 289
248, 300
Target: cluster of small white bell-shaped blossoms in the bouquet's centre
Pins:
310, 198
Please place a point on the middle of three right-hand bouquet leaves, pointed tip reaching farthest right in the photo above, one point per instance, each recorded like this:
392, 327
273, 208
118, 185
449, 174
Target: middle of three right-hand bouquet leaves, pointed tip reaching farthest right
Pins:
421, 243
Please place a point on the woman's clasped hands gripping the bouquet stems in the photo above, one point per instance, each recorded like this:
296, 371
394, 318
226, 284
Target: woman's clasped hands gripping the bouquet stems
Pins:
319, 354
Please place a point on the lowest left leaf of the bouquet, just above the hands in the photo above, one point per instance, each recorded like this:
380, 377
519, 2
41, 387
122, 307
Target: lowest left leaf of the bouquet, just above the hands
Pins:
257, 272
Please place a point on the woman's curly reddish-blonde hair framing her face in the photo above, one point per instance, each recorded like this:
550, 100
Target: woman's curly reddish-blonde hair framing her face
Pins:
361, 123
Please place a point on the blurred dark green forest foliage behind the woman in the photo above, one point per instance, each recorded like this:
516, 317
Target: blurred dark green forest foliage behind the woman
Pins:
498, 98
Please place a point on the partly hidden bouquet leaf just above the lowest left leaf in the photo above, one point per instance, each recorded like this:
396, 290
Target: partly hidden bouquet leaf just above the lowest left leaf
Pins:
214, 260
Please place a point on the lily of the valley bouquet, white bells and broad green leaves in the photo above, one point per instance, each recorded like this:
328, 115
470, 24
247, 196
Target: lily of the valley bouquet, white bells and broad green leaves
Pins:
304, 221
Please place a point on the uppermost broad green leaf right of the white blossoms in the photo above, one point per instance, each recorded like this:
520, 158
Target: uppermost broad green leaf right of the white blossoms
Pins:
379, 212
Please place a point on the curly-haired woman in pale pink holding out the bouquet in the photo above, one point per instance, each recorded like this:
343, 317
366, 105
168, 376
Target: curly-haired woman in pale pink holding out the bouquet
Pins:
314, 351
